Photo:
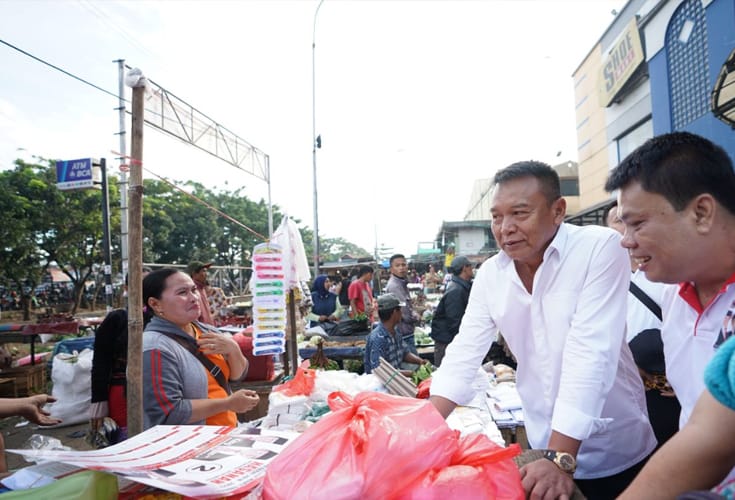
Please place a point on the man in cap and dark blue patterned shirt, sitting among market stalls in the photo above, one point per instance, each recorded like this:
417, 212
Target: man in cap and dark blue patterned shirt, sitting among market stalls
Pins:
384, 341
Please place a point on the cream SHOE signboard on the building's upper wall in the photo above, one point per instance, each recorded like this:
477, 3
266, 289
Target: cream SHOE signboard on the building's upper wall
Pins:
624, 57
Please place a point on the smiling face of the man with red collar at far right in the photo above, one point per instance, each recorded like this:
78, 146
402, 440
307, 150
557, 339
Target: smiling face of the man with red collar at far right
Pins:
660, 239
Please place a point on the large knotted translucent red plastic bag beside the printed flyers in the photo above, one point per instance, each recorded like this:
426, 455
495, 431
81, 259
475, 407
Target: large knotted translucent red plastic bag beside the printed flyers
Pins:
367, 448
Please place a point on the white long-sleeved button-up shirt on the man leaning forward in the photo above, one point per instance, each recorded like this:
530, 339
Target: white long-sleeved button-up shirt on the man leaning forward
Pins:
575, 374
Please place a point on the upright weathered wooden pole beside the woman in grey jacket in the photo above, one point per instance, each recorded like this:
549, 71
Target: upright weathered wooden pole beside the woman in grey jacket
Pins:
135, 265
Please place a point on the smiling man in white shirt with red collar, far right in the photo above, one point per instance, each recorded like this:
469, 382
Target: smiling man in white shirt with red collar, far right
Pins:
677, 201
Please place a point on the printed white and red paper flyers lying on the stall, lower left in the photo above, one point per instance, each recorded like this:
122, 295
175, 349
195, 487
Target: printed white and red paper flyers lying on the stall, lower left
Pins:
192, 460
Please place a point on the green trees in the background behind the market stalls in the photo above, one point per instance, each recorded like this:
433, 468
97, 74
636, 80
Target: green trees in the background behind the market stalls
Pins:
42, 224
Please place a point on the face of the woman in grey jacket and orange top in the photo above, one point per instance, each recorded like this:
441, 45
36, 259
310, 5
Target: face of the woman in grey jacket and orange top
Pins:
179, 302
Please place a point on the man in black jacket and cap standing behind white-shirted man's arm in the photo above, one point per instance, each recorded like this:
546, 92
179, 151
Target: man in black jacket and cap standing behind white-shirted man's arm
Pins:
449, 312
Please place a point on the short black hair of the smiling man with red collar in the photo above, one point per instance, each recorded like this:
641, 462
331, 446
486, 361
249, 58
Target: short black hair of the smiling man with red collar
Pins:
679, 166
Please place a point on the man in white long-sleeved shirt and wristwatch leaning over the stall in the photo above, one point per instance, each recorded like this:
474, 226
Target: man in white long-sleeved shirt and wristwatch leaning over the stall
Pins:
558, 294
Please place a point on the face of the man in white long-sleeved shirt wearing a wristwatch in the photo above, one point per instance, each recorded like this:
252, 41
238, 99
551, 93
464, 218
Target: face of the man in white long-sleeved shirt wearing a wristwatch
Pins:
523, 221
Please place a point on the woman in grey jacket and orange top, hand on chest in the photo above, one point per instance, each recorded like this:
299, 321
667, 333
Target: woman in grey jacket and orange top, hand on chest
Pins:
187, 364
